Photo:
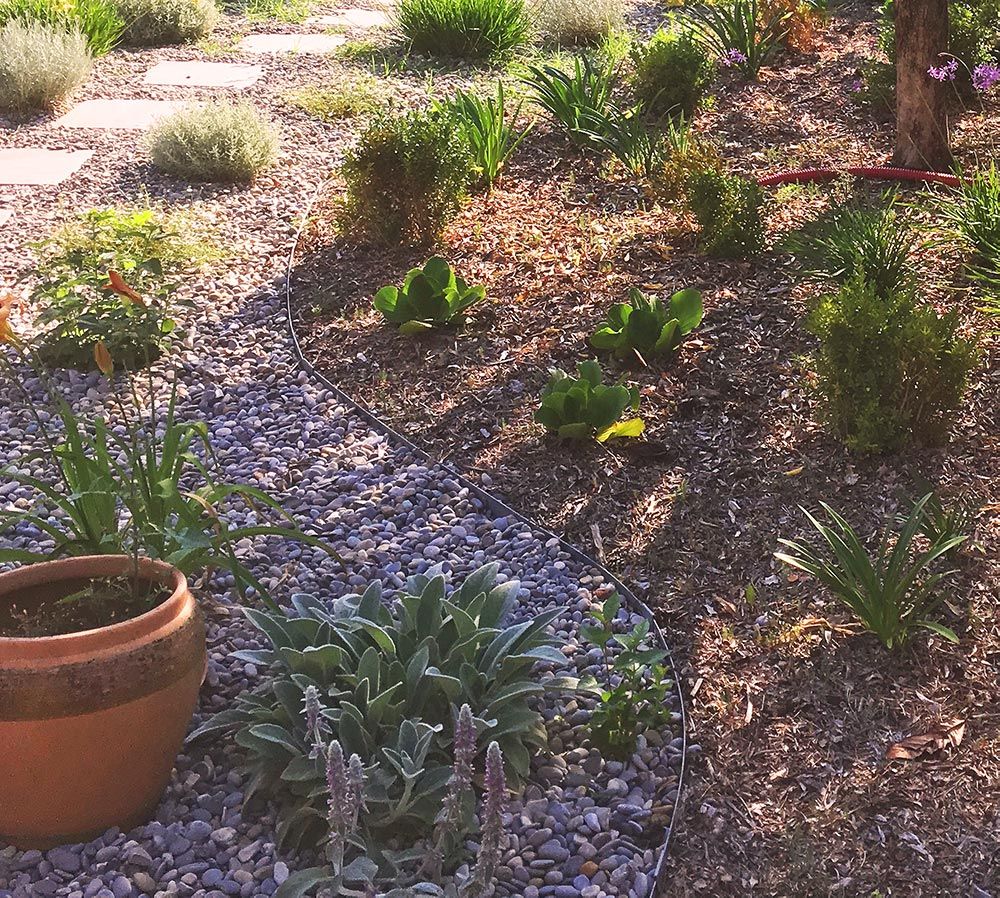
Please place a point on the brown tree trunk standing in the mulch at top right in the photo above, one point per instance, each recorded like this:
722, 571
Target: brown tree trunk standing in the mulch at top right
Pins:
921, 110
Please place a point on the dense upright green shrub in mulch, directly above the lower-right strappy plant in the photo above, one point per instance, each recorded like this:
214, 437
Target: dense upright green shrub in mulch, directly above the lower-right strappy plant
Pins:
889, 370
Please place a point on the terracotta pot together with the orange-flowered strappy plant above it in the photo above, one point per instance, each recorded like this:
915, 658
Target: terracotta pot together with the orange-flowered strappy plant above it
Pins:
102, 645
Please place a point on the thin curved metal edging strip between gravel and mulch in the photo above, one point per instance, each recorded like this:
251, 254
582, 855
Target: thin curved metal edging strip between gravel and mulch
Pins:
500, 508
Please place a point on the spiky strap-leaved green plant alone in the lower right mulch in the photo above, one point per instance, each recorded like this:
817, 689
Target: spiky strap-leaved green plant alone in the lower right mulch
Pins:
892, 591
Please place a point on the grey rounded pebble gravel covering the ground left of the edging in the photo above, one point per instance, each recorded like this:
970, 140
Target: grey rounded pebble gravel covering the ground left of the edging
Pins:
584, 825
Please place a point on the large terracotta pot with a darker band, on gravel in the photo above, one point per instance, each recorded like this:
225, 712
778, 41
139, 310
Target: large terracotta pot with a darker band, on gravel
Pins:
91, 722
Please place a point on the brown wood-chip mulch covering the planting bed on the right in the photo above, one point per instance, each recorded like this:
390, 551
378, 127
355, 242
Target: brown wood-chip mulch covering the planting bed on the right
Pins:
793, 706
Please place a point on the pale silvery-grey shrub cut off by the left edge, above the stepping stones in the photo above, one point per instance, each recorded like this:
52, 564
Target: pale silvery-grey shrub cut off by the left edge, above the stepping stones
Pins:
40, 65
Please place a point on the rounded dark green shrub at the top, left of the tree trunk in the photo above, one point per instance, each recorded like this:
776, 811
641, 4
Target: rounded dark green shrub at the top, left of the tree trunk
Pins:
672, 72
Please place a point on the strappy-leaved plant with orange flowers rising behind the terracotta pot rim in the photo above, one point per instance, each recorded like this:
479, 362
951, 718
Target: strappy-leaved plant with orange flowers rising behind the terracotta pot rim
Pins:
141, 482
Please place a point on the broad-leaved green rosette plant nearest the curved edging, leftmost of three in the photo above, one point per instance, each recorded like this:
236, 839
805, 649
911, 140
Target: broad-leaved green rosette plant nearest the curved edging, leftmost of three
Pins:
432, 296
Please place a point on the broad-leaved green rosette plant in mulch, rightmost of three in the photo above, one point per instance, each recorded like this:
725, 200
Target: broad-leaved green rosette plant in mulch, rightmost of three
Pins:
644, 326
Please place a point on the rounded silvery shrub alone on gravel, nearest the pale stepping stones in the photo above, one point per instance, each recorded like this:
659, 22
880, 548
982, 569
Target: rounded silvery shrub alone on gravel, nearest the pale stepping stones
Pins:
216, 141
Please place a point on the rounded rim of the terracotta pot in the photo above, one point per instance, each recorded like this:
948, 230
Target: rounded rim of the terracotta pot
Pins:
66, 645
